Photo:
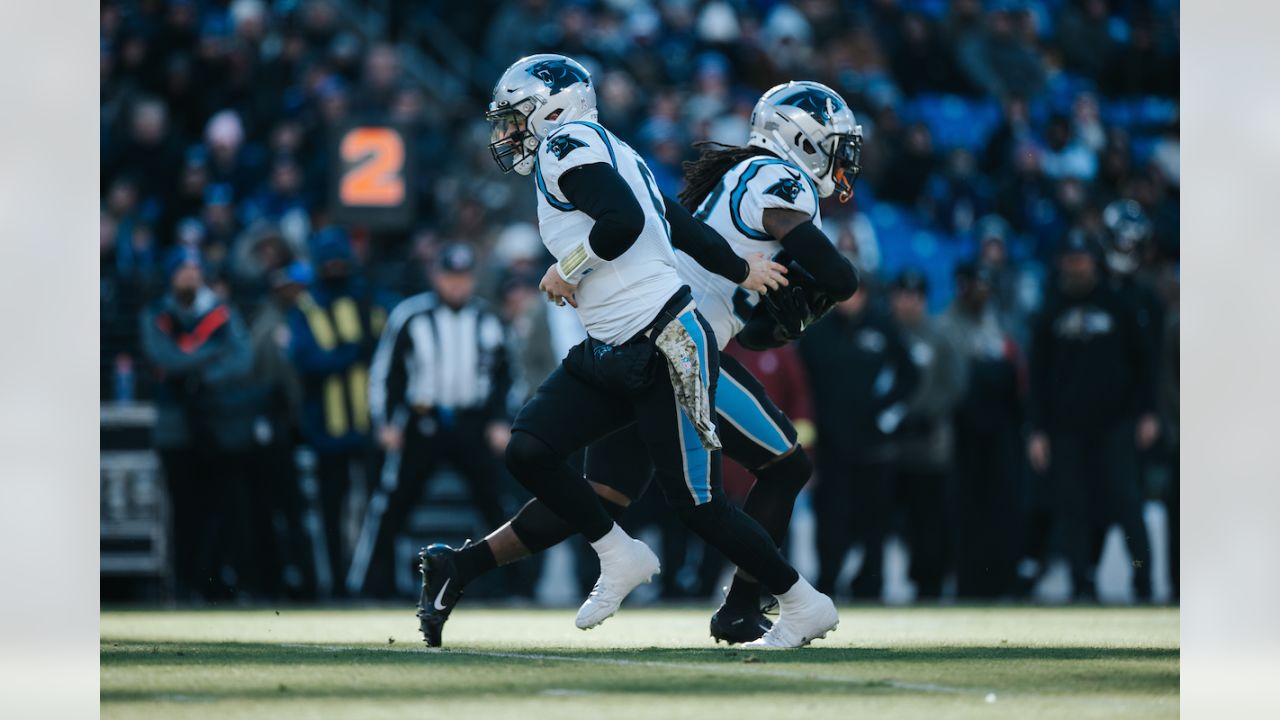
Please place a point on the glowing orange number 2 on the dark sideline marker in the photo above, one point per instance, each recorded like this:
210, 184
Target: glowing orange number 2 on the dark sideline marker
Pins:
376, 162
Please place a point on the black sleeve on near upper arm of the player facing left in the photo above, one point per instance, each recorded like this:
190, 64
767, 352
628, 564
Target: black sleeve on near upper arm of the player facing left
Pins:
600, 192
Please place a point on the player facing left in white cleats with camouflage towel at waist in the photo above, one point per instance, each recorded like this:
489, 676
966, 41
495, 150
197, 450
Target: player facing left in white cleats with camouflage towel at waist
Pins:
651, 361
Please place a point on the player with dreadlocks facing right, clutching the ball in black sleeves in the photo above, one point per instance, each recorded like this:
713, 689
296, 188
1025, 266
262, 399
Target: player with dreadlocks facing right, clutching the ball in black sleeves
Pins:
804, 145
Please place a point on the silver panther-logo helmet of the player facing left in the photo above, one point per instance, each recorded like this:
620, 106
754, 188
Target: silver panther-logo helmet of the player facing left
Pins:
533, 98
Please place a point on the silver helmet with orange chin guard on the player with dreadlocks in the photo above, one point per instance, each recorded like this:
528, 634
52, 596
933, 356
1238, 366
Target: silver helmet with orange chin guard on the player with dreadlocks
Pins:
812, 126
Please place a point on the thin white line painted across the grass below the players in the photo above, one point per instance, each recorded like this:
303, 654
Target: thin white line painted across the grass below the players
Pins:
733, 671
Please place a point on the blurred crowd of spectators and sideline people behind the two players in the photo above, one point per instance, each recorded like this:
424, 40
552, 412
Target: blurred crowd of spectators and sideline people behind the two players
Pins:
996, 134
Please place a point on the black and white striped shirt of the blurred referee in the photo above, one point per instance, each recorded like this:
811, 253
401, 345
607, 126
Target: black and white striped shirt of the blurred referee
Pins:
432, 356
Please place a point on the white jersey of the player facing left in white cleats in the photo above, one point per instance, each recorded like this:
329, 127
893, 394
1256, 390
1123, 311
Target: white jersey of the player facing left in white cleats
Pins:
618, 300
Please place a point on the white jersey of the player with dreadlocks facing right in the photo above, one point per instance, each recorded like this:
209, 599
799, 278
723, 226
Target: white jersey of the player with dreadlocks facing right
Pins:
735, 209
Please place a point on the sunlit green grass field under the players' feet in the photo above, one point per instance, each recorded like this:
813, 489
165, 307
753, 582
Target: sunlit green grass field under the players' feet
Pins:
525, 664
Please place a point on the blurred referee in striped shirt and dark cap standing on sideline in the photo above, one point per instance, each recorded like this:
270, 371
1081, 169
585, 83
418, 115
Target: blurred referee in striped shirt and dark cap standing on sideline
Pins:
440, 390
